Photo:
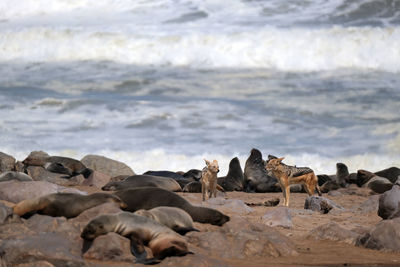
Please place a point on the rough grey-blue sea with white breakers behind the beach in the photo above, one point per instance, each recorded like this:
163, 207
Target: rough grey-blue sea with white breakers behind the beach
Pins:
164, 84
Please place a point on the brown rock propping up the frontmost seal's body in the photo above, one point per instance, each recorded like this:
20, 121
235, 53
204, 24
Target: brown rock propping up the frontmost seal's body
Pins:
110, 247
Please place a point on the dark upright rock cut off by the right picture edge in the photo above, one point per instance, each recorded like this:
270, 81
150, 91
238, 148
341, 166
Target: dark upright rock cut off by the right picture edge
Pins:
389, 203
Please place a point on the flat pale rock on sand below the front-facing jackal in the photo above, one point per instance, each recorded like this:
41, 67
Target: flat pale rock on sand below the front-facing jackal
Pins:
228, 205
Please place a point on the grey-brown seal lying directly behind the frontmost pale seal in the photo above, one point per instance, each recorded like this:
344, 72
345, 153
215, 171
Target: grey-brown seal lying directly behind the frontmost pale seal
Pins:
174, 218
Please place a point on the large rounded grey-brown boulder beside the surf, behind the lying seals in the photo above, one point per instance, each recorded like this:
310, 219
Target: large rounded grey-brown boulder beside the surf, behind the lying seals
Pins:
107, 166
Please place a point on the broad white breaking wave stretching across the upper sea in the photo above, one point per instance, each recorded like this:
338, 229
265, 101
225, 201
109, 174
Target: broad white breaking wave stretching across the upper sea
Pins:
281, 49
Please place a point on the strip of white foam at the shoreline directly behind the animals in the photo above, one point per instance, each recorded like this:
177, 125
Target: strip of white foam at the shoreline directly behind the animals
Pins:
159, 159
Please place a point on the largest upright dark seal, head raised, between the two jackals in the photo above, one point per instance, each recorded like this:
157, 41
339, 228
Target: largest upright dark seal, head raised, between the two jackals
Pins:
256, 178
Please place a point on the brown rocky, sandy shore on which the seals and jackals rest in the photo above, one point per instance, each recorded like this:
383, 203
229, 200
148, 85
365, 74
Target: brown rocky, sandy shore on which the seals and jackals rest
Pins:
341, 227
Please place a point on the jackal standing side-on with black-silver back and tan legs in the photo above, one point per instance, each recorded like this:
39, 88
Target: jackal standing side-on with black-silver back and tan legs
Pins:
293, 175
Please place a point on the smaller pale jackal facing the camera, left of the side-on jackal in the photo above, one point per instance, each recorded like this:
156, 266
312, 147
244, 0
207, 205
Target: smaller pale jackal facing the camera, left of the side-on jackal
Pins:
209, 179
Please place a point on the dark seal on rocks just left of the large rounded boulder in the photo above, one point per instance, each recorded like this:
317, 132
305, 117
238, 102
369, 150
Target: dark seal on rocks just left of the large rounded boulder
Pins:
64, 165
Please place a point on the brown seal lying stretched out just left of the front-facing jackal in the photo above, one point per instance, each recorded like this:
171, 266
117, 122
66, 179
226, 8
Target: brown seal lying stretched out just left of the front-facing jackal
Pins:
143, 181
